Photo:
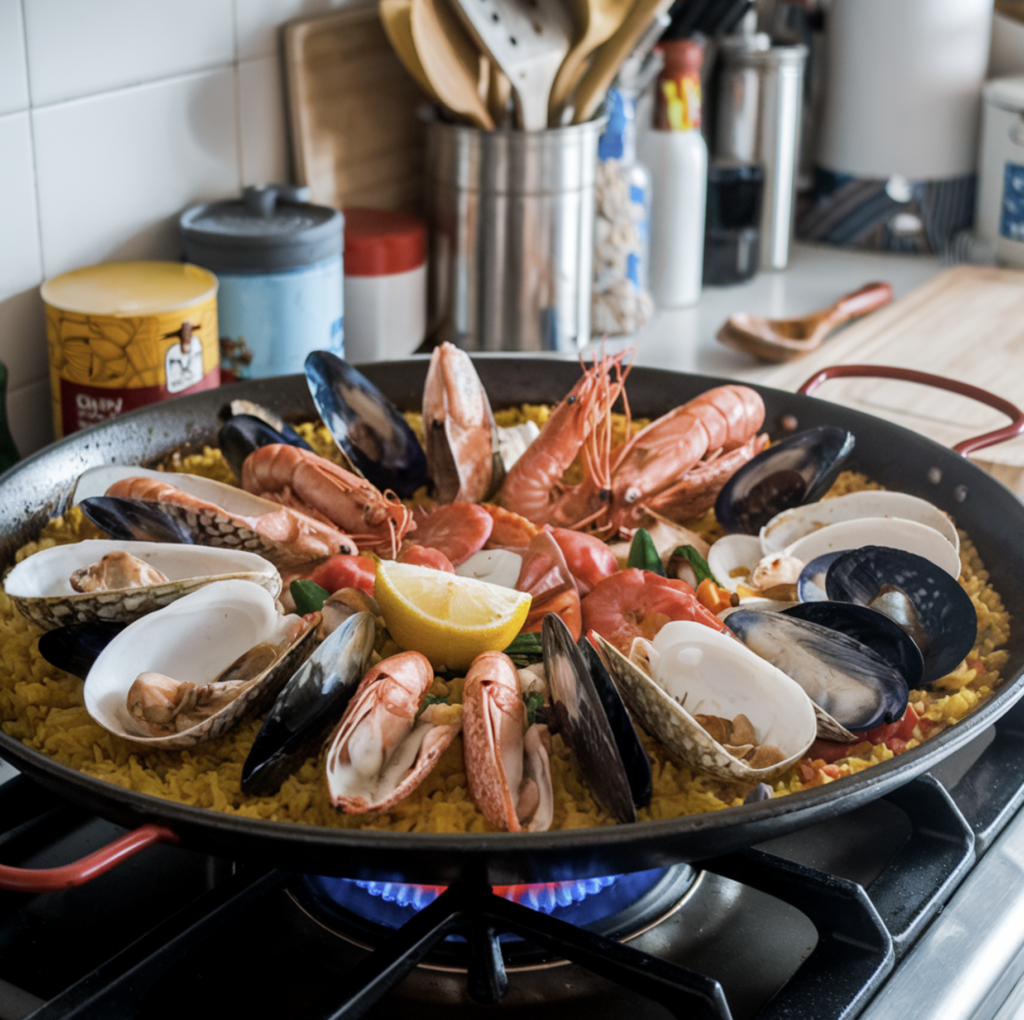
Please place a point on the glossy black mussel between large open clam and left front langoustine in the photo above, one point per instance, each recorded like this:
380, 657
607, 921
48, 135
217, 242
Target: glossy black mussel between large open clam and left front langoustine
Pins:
309, 706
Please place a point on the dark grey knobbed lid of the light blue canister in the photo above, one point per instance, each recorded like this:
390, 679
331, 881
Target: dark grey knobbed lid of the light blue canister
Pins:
268, 229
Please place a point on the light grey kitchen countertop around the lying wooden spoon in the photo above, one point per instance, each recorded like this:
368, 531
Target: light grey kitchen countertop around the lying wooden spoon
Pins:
685, 339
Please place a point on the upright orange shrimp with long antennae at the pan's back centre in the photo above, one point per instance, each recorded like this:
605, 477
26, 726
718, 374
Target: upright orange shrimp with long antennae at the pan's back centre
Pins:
582, 423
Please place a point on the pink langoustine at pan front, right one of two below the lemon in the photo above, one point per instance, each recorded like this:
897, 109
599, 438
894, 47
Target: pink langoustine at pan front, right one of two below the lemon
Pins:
507, 763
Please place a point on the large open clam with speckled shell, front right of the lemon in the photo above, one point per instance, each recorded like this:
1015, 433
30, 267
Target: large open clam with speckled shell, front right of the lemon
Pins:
689, 671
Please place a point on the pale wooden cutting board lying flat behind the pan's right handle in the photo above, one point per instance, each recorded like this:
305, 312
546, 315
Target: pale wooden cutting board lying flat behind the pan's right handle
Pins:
968, 324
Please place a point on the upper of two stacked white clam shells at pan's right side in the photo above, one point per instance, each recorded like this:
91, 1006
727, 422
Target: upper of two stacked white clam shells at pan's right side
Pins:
787, 528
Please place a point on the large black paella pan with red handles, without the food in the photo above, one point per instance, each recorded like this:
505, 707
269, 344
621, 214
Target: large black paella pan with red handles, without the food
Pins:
993, 516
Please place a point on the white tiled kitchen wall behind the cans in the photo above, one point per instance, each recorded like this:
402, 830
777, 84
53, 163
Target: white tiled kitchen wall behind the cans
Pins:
116, 115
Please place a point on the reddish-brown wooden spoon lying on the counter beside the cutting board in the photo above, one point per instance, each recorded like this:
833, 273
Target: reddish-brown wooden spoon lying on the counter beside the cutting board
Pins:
786, 339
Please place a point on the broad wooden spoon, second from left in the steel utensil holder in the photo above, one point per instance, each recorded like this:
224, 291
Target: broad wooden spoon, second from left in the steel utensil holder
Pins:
451, 61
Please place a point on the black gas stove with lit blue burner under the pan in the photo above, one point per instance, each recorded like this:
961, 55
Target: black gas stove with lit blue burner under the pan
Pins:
910, 907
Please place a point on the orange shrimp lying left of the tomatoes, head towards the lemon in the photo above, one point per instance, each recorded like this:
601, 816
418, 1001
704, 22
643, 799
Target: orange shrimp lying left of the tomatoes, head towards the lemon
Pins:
303, 480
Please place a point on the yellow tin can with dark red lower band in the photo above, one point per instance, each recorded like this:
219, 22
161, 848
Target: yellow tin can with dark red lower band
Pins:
125, 334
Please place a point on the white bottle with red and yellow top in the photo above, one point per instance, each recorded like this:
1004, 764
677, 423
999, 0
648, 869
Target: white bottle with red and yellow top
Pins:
676, 156
